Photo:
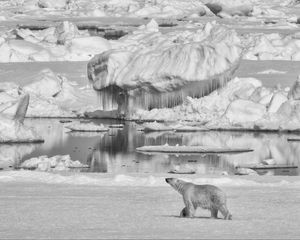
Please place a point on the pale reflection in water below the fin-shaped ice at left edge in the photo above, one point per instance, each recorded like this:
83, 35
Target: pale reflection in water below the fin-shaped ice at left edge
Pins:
12, 154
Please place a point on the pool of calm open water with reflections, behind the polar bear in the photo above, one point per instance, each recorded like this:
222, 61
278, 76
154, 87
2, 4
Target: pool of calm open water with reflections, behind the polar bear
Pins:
114, 151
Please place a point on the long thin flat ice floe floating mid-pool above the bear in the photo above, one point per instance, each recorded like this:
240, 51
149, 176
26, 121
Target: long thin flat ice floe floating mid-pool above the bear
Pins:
190, 149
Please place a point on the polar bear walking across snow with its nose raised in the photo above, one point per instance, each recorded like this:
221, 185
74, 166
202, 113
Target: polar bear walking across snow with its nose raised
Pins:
204, 196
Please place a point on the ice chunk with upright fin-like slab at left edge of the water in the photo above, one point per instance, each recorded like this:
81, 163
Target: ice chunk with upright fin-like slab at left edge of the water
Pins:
12, 129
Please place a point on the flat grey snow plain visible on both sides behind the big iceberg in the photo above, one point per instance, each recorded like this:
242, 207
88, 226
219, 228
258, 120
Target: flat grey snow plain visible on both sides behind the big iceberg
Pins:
21, 73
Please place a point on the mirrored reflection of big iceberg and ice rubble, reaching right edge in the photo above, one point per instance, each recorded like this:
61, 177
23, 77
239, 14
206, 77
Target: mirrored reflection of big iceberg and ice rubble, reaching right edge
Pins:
117, 154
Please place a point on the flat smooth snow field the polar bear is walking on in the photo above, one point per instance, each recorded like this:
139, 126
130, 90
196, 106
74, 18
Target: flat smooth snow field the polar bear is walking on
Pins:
52, 211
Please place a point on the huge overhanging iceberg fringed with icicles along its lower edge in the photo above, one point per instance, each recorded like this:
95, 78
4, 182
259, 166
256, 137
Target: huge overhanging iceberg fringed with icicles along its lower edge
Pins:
151, 69
